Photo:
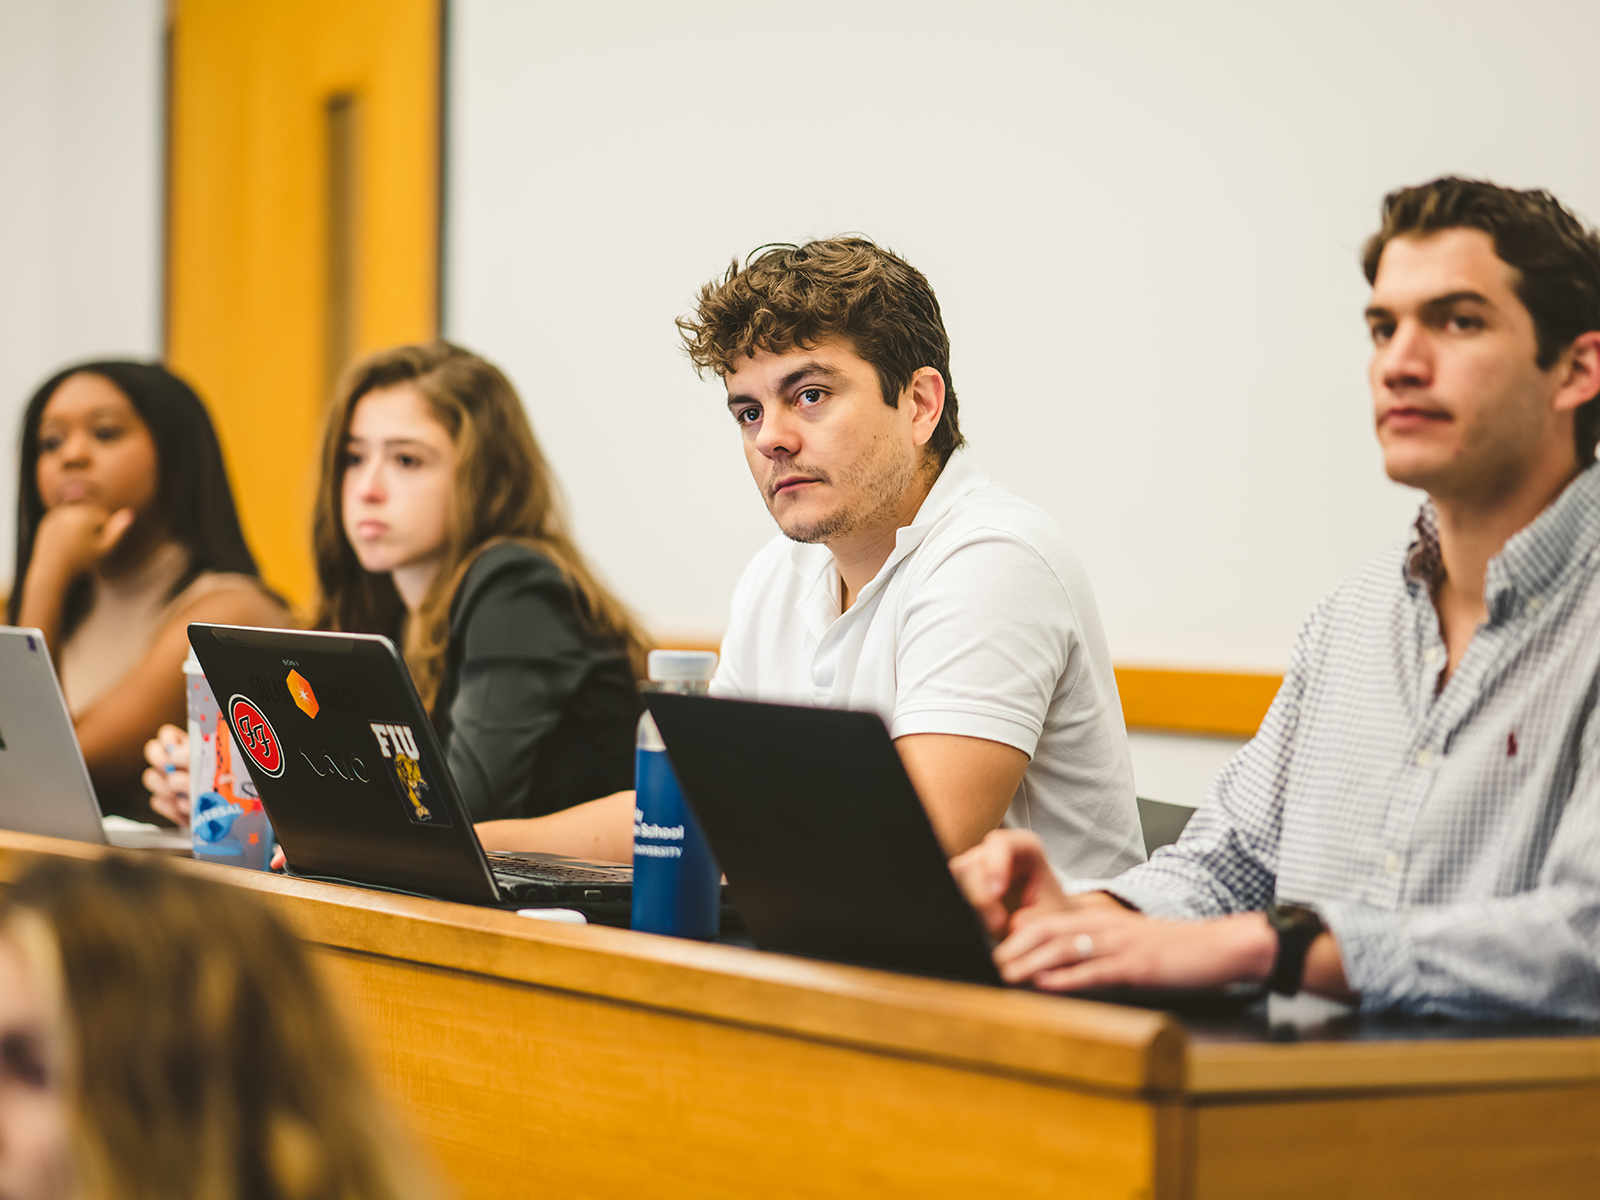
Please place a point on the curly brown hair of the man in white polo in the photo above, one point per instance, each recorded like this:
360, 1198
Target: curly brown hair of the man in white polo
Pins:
788, 297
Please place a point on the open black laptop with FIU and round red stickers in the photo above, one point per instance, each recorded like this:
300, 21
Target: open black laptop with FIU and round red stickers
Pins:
354, 780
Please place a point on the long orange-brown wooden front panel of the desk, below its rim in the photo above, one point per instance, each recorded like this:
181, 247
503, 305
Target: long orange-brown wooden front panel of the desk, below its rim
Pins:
524, 1090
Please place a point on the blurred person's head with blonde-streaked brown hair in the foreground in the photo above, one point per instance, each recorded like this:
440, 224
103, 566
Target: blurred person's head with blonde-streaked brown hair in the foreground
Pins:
164, 1036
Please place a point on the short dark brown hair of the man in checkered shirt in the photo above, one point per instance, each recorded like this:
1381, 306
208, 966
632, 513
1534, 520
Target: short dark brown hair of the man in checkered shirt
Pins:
1556, 258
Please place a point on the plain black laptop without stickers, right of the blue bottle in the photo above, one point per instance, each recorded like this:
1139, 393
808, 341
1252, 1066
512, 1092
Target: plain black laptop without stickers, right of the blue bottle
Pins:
825, 842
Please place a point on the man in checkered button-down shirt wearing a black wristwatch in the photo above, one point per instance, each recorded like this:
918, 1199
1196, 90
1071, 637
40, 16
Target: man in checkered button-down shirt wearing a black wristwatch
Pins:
1417, 826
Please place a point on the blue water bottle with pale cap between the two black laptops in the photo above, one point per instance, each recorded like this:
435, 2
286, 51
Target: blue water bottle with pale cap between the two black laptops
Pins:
678, 884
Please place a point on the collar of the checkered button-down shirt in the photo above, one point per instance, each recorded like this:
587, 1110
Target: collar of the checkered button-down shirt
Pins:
1534, 561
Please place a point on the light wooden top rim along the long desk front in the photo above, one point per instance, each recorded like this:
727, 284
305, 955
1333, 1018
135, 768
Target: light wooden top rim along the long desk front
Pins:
1063, 1041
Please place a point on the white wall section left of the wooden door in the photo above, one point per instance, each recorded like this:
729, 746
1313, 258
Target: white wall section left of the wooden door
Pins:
81, 198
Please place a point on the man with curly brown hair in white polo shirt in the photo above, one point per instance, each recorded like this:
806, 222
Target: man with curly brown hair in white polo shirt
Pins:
905, 582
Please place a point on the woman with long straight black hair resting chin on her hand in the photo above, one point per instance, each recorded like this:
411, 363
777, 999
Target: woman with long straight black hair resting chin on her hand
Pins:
126, 534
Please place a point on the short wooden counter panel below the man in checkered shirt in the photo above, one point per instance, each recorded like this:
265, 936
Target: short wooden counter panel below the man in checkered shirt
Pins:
1502, 1145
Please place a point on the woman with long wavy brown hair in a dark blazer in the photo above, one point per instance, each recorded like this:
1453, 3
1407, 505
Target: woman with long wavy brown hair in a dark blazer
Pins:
439, 526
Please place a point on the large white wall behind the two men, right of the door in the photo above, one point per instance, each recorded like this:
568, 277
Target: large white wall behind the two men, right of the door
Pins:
1142, 222
